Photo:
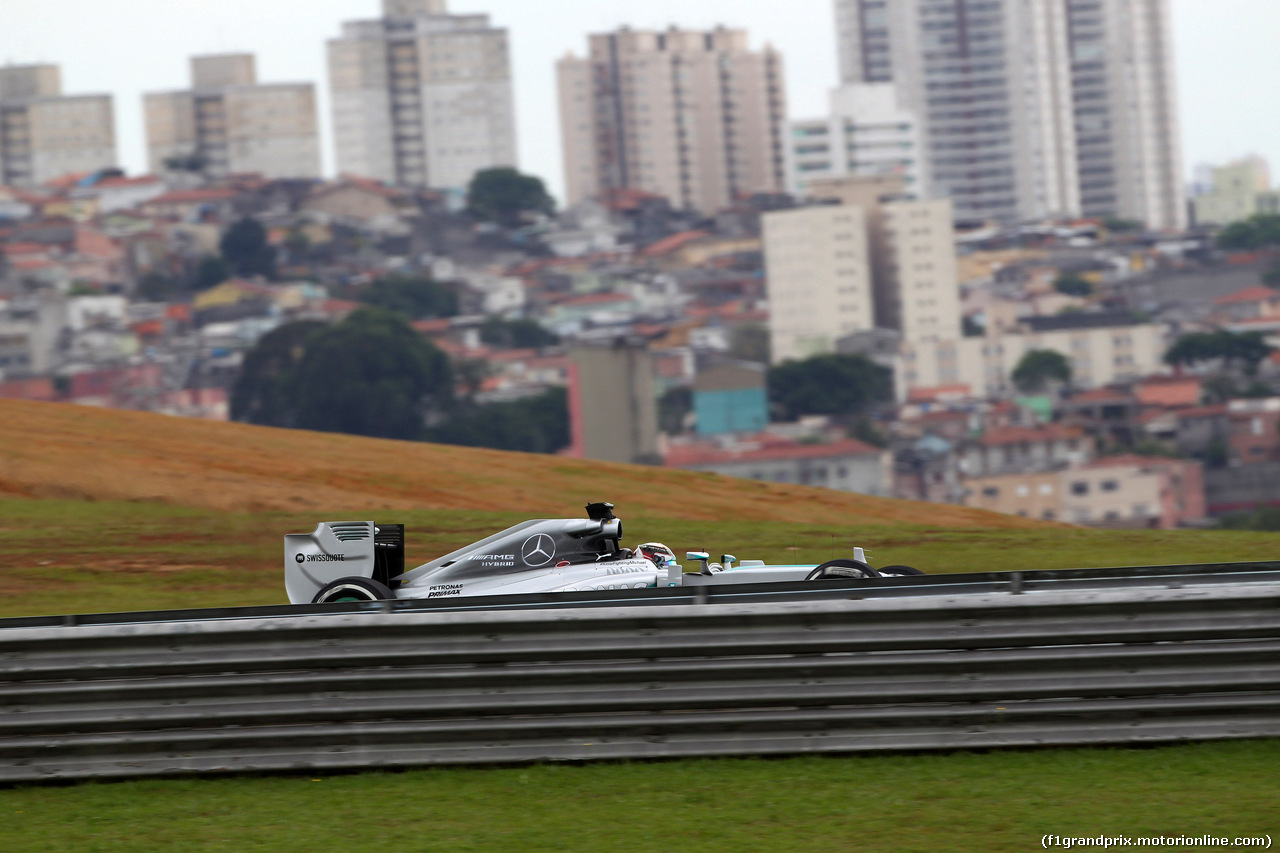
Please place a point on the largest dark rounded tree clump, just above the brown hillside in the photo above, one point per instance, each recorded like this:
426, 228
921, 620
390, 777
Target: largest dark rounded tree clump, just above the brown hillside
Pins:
368, 376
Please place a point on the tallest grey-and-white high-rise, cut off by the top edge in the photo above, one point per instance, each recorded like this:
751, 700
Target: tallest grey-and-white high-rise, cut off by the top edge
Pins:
1031, 108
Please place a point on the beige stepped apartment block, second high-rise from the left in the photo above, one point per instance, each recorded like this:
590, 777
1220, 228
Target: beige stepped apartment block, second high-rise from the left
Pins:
234, 124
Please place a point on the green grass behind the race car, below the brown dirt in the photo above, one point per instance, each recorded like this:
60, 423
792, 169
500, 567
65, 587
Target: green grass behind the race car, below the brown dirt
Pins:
76, 558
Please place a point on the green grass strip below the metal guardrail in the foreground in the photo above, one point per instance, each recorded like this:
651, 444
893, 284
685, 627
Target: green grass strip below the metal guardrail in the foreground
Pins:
999, 801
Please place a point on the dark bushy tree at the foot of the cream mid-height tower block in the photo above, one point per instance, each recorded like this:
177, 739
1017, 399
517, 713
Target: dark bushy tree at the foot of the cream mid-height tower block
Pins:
829, 385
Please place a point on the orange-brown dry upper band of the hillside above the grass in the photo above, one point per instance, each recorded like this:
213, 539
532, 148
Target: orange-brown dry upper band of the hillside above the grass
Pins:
63, 451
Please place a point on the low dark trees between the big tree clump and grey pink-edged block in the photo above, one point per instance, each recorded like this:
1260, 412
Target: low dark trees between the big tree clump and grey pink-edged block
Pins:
534, 425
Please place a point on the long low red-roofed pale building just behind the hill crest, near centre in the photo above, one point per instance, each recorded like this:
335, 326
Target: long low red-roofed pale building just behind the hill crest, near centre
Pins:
845, 466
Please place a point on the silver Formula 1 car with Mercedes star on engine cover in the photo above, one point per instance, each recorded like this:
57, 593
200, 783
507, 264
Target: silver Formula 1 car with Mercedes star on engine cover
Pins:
363, 562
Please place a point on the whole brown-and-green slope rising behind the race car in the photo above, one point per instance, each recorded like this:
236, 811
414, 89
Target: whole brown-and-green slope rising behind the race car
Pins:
141, 512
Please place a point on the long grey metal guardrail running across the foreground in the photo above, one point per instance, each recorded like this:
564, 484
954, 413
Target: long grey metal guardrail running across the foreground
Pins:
344, 690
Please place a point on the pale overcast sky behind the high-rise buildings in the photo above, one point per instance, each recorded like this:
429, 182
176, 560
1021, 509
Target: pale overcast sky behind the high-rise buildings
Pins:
1228, 56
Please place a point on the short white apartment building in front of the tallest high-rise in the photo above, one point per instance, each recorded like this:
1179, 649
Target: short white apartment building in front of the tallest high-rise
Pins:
868, 133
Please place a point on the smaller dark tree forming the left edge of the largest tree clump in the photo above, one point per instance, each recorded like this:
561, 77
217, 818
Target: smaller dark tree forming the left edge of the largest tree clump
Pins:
266, 390
